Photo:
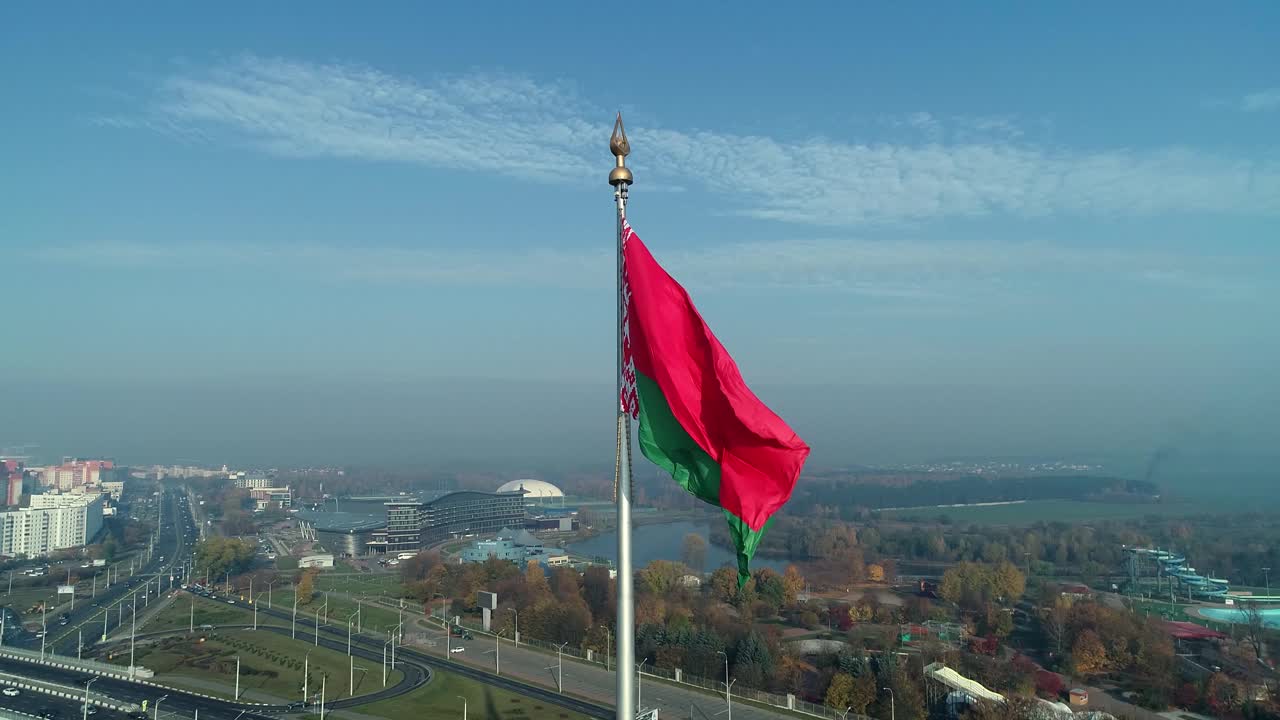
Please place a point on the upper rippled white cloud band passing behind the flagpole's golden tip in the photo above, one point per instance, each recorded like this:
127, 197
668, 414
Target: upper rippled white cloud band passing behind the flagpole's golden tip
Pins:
518, 127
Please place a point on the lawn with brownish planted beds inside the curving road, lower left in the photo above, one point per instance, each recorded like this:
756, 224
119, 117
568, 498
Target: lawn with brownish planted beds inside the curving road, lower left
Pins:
271, 663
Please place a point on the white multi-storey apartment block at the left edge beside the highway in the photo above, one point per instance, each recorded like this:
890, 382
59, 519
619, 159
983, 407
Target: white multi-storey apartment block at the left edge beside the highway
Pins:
51, 525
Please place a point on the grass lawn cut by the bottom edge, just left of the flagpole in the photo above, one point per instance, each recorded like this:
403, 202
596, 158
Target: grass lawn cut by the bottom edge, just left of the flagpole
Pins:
440, 699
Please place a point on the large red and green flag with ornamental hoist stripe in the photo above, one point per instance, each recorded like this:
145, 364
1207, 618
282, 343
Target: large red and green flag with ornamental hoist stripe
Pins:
698, 420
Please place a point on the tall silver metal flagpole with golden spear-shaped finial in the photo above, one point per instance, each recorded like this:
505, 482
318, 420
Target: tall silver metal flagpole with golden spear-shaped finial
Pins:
627, 701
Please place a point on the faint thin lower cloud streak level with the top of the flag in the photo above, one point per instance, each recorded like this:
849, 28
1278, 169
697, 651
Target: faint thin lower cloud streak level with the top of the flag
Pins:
894, 272
